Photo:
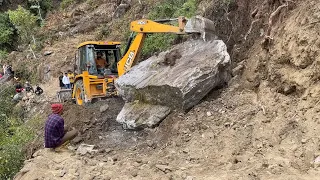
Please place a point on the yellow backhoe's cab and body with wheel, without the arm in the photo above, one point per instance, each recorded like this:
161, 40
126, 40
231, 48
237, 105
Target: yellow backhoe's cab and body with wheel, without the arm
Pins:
96, 70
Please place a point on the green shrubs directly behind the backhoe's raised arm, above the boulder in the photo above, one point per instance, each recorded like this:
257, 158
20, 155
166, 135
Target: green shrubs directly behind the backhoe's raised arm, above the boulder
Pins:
167, 9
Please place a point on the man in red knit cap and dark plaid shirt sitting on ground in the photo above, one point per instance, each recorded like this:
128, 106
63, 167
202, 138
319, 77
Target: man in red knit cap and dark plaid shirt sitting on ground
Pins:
55, 133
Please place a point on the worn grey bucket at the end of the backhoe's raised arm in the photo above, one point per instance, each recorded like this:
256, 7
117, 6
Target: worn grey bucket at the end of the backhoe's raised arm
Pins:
204, 26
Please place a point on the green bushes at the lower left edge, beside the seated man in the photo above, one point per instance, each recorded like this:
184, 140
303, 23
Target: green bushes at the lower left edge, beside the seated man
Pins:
14, 134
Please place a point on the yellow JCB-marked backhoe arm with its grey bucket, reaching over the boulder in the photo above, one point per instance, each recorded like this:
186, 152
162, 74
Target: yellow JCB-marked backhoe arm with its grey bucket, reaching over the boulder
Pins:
144, 26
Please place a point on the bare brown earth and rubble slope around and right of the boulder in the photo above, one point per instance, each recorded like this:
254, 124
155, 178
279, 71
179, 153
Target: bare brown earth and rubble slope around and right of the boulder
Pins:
264, 125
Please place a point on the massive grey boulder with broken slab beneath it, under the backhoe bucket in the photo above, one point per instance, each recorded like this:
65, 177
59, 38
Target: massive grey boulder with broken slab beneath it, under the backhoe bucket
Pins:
176, 79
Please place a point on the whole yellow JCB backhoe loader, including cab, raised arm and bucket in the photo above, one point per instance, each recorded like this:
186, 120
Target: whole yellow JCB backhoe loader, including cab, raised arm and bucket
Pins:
99, 64
